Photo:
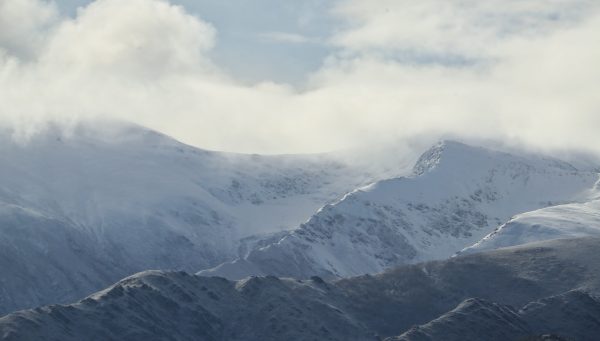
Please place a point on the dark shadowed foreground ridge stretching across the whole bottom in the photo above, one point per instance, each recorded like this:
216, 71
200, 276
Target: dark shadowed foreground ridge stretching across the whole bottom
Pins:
177, 306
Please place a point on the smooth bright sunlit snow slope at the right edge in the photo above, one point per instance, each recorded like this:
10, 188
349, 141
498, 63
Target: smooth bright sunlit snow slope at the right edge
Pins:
561, 221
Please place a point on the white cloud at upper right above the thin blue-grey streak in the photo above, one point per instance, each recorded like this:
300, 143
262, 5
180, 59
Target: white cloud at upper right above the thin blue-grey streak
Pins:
456, 27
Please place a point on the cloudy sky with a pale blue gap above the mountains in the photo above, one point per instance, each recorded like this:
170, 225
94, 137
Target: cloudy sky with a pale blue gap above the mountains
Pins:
272, 76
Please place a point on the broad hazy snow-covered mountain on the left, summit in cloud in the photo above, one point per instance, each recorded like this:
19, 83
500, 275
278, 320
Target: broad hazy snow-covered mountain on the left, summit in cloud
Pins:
83, 208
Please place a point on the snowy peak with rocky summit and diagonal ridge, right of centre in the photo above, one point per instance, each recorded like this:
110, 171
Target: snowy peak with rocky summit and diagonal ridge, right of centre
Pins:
456, 196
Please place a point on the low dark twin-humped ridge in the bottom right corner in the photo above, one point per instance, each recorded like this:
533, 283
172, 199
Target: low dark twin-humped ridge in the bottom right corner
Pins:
574, 314
